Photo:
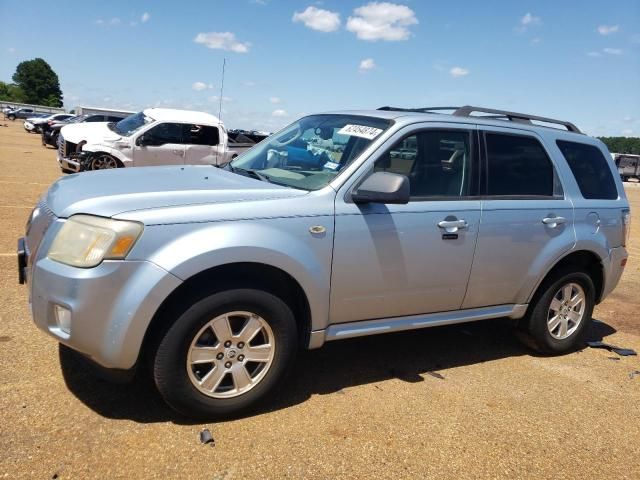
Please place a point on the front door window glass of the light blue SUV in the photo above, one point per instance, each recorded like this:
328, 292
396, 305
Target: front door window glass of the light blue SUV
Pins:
438, 163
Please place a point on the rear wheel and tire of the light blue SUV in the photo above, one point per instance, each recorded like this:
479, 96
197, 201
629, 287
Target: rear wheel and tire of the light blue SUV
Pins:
560, 314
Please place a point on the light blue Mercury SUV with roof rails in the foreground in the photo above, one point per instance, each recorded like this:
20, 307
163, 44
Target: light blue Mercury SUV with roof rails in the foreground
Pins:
340, 225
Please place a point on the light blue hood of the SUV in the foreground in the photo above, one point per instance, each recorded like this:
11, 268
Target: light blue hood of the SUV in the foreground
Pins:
111, 192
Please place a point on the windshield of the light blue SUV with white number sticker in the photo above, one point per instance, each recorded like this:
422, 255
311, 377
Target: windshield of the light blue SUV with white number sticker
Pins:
311, 152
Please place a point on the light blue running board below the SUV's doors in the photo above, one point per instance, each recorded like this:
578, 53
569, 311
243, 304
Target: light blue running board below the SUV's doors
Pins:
341, 331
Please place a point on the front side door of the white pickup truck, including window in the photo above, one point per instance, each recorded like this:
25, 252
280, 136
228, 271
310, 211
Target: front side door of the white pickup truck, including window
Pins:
162, 144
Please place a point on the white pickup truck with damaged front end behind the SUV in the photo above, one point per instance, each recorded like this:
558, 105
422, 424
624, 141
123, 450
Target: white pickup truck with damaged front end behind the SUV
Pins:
155, 136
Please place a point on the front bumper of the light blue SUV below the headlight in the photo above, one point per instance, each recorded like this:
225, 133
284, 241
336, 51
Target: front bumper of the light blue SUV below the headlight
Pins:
110, 306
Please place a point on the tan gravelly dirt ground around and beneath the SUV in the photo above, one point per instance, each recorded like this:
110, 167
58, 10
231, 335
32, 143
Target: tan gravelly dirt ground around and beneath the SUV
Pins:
461, 402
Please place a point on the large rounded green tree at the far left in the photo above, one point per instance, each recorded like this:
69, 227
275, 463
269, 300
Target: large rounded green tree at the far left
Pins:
38, 82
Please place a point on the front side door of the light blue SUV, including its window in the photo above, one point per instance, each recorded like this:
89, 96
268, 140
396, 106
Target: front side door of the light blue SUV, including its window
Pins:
398, 260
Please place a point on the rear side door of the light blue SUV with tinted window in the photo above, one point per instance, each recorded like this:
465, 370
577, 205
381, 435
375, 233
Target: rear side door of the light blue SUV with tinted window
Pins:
527, 222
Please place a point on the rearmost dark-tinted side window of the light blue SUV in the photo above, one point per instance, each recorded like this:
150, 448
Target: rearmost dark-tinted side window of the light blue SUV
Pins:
590, 169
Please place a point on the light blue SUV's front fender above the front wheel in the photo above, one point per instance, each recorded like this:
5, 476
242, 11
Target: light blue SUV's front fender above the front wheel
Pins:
283, 243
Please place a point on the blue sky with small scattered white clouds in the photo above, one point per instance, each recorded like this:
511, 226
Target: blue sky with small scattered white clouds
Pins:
575, 60
